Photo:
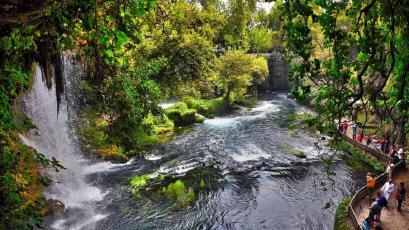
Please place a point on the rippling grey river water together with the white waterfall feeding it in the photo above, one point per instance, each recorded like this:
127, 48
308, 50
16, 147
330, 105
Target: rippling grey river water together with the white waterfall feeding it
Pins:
250, 180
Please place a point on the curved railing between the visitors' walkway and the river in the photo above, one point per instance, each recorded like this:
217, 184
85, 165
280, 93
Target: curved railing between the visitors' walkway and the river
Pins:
362, 192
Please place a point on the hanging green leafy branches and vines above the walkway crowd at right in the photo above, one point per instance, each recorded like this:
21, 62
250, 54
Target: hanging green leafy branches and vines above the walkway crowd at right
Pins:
351, 58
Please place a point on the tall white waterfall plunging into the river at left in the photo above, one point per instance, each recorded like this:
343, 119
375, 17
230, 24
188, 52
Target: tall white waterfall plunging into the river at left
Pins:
55, 137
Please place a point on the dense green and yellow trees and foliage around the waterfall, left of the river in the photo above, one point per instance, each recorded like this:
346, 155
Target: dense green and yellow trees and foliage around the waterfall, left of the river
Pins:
135, 54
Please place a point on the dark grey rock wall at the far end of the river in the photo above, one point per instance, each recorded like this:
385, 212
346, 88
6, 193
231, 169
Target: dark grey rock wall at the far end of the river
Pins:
278, 68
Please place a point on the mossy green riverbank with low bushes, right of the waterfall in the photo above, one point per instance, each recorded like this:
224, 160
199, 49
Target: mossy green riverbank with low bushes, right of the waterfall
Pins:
95, 127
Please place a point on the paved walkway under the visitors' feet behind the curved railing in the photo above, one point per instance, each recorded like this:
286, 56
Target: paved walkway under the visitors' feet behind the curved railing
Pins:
390, 219
